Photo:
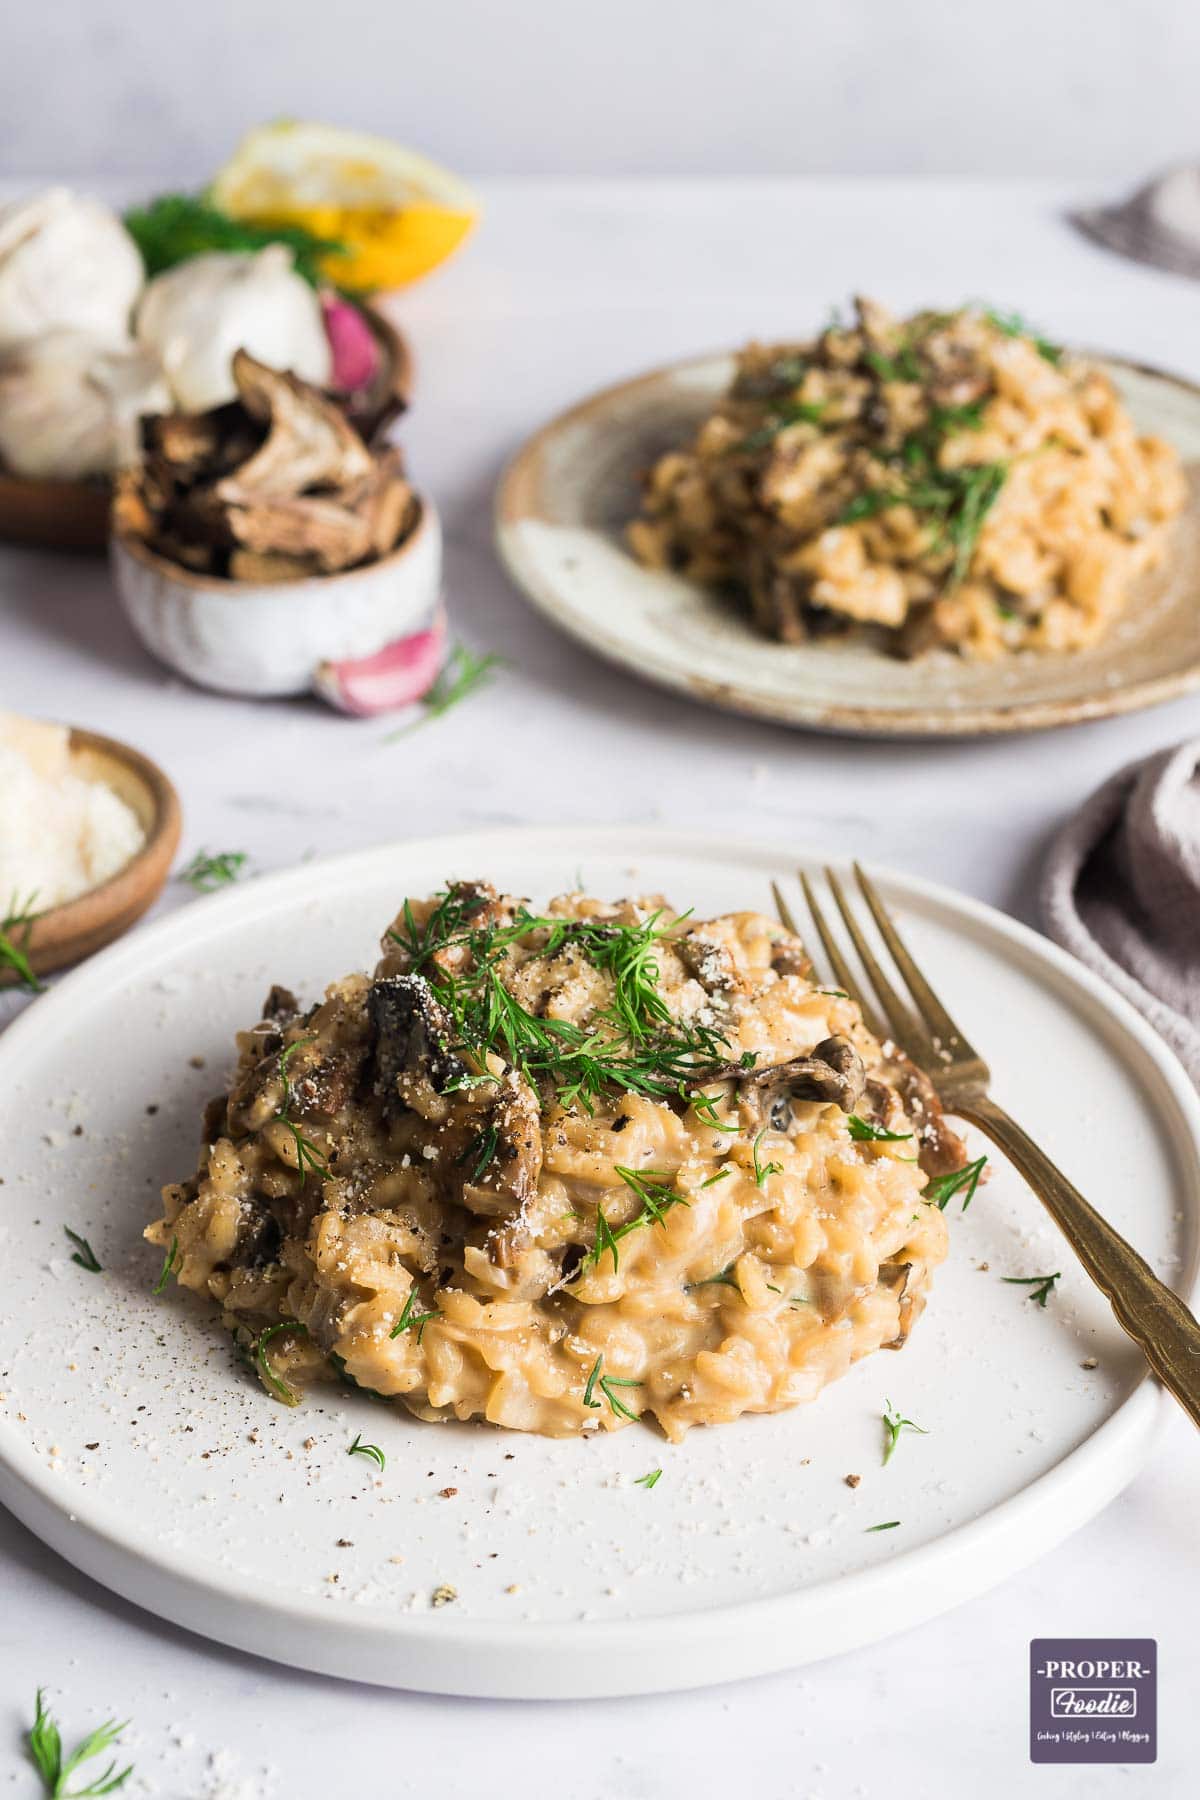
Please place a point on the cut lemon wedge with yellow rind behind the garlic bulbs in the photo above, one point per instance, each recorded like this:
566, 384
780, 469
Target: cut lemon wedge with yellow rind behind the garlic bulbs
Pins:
397, 213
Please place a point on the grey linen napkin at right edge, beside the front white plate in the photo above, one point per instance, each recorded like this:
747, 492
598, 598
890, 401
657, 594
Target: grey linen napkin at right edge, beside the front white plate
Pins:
1122, 890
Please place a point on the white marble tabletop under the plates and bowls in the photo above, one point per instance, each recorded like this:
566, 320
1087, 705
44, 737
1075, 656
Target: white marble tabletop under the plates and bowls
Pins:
569, 287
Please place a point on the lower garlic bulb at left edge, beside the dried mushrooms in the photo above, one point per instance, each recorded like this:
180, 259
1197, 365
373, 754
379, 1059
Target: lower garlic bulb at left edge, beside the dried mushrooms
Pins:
71, 402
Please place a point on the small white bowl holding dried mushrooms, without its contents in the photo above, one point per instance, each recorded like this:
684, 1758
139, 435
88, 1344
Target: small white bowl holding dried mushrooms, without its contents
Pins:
269, 638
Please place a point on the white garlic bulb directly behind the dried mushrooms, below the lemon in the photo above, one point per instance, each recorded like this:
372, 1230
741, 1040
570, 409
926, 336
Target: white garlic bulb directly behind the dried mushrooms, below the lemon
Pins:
199, 314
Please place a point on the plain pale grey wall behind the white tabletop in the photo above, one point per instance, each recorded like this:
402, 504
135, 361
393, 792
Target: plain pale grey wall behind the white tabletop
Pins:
677, 87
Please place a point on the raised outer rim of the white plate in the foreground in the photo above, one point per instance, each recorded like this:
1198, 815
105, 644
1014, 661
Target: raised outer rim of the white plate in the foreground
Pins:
575, 1659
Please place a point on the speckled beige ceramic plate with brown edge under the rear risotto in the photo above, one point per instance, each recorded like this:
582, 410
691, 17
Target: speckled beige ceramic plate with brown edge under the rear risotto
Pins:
569, 492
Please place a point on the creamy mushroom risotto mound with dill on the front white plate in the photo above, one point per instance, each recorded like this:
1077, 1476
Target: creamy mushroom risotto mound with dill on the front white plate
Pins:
566, 1171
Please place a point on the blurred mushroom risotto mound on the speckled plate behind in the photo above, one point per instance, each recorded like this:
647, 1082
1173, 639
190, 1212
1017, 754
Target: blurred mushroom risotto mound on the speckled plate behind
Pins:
949, 480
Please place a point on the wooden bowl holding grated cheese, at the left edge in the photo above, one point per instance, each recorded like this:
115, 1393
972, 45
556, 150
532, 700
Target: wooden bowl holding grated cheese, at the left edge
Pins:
78, 928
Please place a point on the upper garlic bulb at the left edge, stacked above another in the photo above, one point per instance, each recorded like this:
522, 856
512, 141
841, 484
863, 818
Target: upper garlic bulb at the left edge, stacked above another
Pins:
67, 264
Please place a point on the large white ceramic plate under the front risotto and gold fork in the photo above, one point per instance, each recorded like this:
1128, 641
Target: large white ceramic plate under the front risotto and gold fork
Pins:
136, 1446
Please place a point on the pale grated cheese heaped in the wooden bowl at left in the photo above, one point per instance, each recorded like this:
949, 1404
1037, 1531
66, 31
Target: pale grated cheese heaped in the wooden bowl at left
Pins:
60, 834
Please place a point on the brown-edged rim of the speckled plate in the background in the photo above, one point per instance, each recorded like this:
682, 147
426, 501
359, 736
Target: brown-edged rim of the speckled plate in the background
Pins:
855, 721
